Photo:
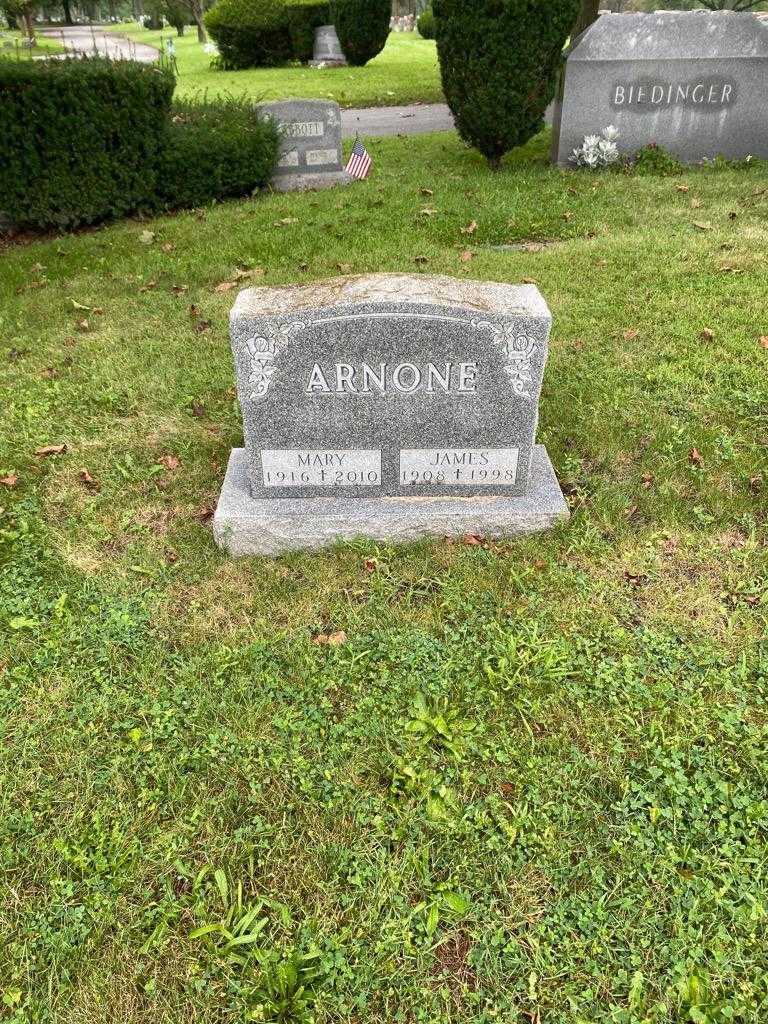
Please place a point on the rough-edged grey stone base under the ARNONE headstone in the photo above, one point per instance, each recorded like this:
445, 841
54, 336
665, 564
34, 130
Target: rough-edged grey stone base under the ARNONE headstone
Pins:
244, 526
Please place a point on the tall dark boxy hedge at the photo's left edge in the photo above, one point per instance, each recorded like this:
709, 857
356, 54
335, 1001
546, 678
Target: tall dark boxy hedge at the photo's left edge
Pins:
80, 140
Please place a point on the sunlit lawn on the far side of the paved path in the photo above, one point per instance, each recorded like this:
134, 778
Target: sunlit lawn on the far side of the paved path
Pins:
406, 72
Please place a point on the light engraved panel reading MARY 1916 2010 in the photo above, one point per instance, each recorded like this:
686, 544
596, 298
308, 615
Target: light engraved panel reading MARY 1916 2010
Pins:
321, 467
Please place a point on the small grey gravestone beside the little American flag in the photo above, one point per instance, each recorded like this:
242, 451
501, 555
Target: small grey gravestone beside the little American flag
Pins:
311, 154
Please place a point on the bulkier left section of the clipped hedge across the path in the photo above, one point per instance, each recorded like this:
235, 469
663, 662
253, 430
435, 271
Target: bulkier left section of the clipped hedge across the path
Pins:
250, 33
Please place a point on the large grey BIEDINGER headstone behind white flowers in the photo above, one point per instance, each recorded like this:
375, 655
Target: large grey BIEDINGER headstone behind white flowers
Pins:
695, 82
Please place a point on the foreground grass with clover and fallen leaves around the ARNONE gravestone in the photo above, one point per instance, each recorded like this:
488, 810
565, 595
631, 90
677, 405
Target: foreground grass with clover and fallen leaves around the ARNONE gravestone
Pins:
532, 785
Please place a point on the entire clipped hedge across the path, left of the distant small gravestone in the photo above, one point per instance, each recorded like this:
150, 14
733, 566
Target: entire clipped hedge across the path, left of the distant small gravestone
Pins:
266, 33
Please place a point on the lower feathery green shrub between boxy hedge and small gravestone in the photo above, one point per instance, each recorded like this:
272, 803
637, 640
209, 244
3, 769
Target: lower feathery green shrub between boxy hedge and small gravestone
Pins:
216, 151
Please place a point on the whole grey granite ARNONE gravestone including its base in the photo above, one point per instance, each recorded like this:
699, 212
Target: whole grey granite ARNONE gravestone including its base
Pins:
392, 407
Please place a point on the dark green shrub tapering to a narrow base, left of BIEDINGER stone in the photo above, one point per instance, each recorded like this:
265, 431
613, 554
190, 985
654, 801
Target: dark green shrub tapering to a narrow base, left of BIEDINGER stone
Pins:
499, 63
